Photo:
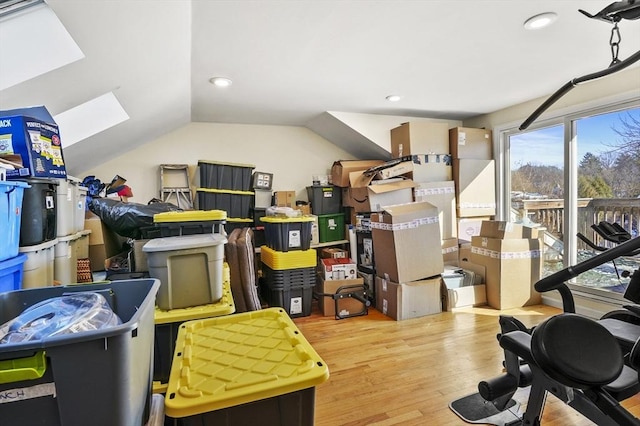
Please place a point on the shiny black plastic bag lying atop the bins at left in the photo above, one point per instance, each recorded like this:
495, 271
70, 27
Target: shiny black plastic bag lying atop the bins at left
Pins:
126, 219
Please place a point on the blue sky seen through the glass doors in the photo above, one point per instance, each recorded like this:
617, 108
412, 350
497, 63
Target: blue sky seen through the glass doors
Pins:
546, 146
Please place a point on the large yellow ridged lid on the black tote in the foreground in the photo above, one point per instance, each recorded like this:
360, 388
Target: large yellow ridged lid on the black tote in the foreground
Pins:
227, 361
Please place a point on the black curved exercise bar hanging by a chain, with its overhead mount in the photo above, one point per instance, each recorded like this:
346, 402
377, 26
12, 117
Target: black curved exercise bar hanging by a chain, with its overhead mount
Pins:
628, 9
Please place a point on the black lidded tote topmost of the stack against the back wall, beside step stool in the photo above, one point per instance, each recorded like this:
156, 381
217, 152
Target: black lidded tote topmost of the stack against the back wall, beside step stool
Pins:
229, 176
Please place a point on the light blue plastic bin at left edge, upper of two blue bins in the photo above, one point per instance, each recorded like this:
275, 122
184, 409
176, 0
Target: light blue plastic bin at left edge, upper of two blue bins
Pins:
11, 195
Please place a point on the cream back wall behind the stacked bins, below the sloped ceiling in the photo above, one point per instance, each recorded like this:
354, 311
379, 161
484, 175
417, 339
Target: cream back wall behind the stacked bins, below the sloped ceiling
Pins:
292, 154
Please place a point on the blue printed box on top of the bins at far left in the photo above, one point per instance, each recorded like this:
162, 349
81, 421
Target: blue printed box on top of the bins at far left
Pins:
33, 143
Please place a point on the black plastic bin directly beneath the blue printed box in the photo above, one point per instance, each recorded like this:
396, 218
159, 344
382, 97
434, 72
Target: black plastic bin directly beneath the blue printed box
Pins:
38, 221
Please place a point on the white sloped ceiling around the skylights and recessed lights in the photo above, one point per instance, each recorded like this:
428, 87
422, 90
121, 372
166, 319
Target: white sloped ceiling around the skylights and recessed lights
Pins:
299, 62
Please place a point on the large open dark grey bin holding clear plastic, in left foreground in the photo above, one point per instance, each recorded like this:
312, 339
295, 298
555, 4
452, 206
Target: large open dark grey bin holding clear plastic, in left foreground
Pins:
101, 377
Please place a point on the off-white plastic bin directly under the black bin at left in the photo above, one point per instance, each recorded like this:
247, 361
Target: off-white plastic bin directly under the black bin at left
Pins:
38, 268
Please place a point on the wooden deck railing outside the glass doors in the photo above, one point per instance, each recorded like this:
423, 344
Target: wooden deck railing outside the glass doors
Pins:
549, 213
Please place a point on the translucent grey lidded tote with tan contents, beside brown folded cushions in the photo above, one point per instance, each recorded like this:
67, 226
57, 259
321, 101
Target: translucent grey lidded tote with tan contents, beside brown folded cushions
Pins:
189, 268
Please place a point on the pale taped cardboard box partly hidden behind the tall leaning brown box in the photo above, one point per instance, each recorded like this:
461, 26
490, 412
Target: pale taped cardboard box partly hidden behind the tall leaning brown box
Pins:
443, 196
